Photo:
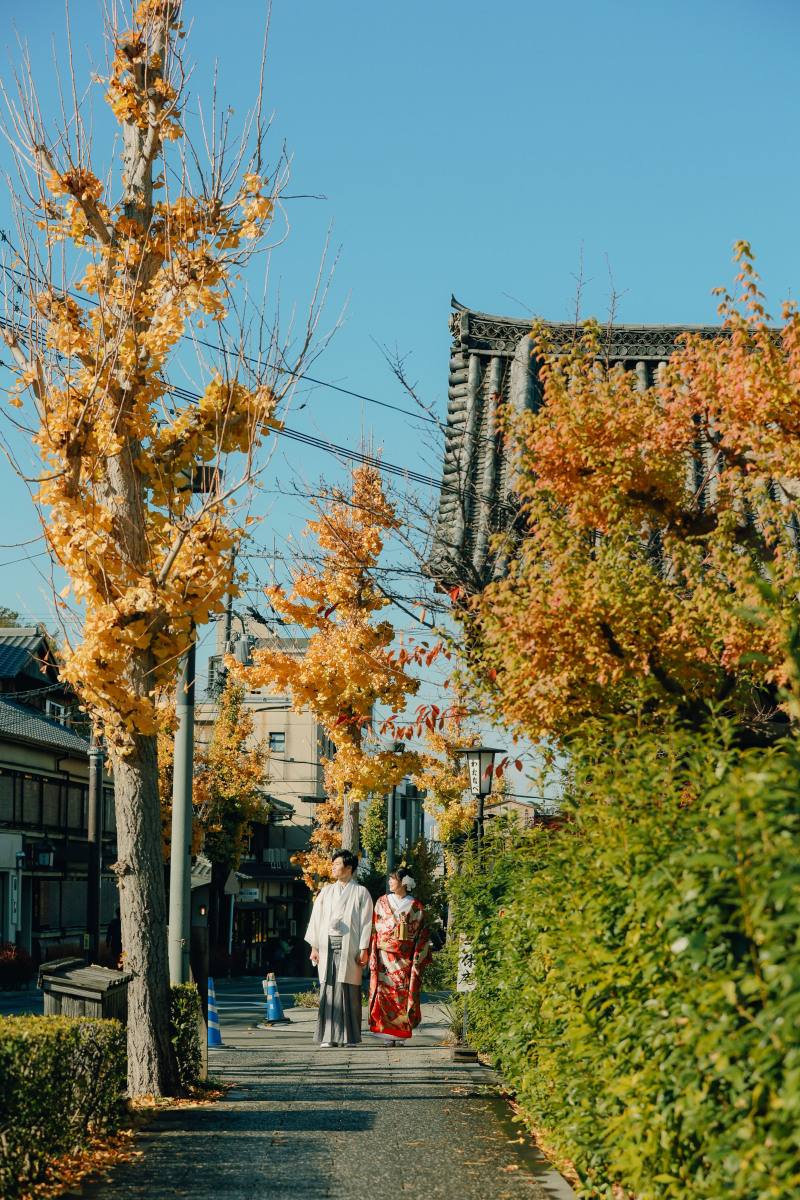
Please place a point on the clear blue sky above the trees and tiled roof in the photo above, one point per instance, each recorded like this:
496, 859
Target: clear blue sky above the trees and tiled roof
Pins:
476, 149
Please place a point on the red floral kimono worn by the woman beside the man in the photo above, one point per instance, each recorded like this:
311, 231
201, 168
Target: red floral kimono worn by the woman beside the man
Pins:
399, 955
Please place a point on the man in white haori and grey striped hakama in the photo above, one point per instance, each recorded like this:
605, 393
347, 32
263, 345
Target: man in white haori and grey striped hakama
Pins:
339, 934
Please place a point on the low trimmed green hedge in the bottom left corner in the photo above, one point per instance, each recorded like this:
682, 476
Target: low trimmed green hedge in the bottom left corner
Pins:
62, 1081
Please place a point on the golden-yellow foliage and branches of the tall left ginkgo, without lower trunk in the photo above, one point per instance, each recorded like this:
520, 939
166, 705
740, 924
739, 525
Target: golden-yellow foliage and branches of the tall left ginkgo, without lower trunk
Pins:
117, 448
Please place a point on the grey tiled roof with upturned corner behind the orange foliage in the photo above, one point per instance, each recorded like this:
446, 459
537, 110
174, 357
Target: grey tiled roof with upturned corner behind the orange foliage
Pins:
491, 367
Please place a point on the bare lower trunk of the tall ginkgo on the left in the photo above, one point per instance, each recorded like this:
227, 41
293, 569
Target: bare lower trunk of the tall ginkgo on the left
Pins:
153, 1069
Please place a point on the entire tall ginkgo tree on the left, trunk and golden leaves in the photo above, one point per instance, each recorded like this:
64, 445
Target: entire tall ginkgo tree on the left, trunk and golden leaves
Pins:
115, 269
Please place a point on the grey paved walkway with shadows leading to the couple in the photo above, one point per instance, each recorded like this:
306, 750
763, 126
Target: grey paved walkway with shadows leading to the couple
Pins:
304, 1123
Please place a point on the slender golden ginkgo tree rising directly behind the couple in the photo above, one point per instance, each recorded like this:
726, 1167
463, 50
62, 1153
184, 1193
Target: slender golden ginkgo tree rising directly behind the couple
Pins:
352, 662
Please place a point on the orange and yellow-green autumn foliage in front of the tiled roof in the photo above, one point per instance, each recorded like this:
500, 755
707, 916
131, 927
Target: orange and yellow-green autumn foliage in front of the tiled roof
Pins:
654, 517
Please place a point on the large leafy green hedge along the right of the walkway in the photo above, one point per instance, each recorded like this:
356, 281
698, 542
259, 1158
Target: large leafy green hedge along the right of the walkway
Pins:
640, 970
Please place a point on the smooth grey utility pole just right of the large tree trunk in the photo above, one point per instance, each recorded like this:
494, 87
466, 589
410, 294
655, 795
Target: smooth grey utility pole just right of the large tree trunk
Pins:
181, 869
